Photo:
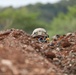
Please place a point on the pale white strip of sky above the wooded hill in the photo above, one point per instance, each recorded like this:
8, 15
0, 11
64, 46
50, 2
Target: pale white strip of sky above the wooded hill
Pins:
18, 3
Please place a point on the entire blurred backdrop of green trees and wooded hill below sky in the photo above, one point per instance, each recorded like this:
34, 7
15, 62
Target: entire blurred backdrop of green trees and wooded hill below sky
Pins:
56, 18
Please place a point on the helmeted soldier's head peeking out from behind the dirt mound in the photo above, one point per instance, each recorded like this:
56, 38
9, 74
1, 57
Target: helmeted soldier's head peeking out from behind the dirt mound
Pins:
41, 35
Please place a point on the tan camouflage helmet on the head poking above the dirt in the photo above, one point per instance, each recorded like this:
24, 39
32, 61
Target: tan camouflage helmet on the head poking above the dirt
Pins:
39, 32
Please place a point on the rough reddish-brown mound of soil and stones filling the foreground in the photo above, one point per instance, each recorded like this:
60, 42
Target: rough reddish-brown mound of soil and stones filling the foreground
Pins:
20, 54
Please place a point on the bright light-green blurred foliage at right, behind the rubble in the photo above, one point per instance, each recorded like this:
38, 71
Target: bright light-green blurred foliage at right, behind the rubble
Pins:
64, 22
